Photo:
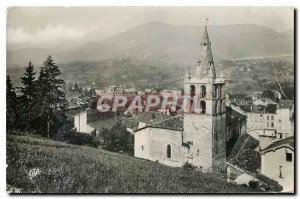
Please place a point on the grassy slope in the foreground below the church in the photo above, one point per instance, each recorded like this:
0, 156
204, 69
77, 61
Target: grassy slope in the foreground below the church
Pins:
70, 168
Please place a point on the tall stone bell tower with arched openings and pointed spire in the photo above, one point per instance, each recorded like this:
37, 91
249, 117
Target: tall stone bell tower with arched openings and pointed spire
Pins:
204, 114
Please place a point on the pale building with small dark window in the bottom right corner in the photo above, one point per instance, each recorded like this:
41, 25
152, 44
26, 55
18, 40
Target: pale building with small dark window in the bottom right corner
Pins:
277, 162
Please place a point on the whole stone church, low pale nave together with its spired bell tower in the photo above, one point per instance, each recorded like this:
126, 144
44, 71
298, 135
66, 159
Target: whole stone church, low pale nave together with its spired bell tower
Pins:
198, 136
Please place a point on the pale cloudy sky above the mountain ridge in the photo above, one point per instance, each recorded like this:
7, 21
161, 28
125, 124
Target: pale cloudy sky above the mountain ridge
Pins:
40, 26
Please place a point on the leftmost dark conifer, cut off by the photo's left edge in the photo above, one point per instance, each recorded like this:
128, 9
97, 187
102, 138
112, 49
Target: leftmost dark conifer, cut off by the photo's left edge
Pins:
11, 105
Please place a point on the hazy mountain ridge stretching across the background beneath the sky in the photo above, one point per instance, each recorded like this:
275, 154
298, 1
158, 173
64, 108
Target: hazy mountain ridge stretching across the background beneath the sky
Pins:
167, 43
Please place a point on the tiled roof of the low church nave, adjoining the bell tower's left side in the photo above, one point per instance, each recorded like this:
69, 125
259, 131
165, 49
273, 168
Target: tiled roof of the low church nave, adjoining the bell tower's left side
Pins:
174, 123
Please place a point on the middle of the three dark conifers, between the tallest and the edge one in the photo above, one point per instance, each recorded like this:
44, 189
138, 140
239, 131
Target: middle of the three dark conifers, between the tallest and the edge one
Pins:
28, 98
